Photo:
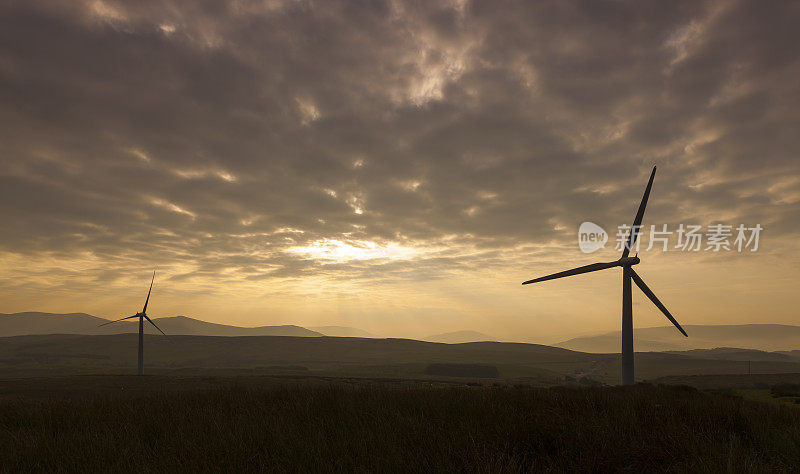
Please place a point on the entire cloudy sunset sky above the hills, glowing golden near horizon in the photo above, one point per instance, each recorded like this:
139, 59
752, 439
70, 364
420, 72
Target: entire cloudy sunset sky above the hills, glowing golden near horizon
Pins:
400, 167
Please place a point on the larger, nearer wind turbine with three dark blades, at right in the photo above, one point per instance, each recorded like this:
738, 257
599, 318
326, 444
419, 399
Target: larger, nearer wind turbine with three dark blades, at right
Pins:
628, 274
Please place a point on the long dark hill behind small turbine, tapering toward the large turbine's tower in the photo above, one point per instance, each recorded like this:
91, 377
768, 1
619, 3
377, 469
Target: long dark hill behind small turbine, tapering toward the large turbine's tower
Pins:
70, 353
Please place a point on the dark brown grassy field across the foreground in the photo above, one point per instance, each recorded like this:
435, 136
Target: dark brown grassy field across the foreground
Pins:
268, 423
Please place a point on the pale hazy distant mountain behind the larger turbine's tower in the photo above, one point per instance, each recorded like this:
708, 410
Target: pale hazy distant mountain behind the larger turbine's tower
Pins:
765, 337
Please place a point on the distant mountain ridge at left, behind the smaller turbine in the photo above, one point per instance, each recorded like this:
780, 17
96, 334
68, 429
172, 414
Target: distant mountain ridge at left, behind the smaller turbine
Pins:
20, 324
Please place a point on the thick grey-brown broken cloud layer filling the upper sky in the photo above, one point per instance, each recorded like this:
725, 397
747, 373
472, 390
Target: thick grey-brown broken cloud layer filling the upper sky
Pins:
195, 134
